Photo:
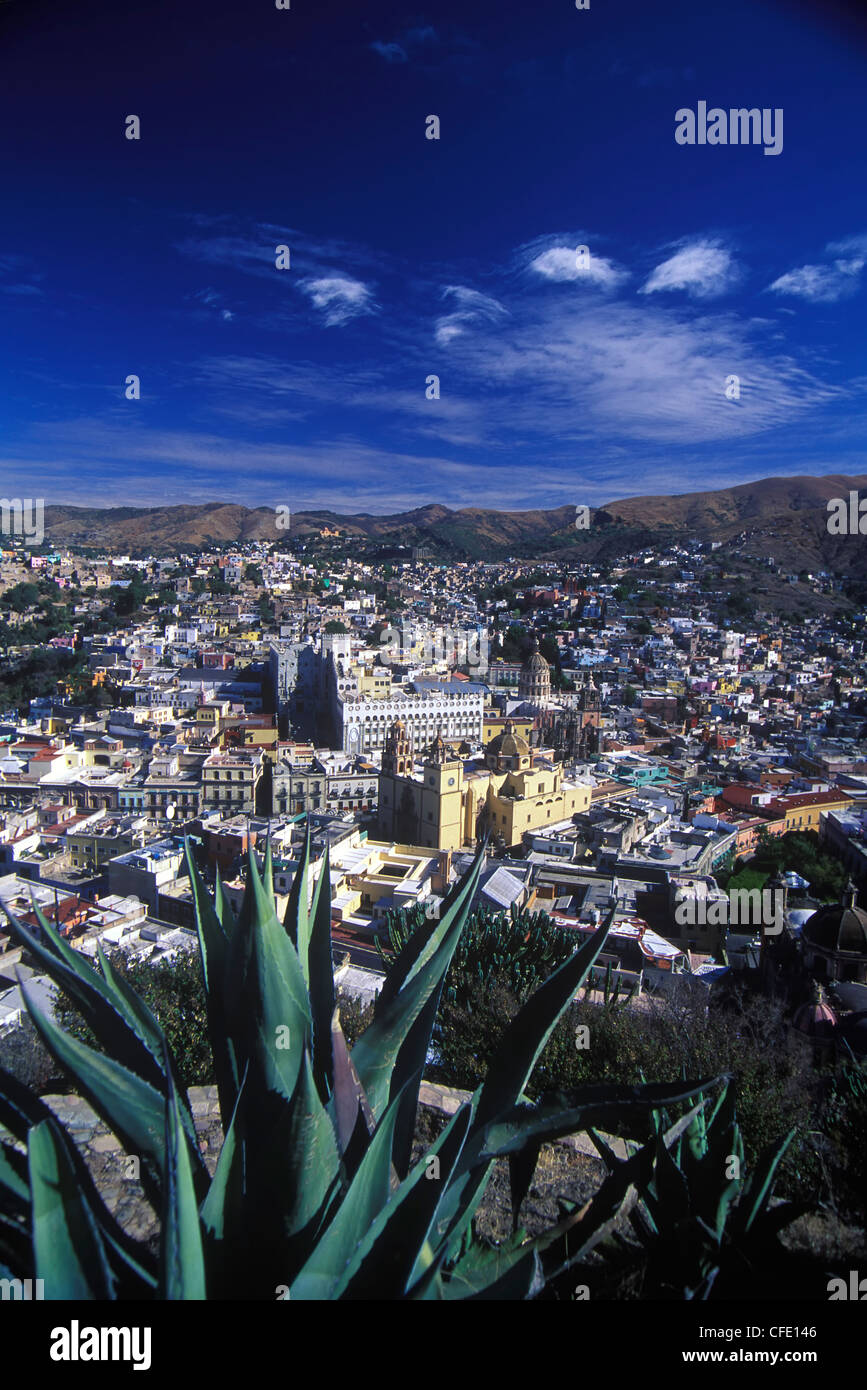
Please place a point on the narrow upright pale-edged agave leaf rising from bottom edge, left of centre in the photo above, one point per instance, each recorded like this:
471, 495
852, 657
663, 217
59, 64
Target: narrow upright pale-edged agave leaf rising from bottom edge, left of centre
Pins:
183, 1259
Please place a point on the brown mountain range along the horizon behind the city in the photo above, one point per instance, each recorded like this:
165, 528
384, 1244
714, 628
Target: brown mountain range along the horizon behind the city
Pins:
786, 519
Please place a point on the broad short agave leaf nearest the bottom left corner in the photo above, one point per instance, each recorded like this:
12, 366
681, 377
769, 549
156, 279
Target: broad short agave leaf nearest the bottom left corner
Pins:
69, 1250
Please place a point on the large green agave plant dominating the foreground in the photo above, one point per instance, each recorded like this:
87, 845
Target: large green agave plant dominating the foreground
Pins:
315, 1195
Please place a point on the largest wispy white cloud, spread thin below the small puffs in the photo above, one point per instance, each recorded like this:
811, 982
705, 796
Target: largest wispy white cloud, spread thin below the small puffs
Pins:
583, 370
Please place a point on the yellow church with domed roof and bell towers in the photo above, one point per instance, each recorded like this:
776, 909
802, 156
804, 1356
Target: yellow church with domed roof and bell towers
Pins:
448, 801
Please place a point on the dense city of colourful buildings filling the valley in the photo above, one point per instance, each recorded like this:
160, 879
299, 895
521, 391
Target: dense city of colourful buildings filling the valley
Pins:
395, 708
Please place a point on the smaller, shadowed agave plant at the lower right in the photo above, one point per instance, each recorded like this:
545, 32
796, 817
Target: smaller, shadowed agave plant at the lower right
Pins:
704, 1225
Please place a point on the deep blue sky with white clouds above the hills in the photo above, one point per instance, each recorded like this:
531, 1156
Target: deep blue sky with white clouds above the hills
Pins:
415, 258
